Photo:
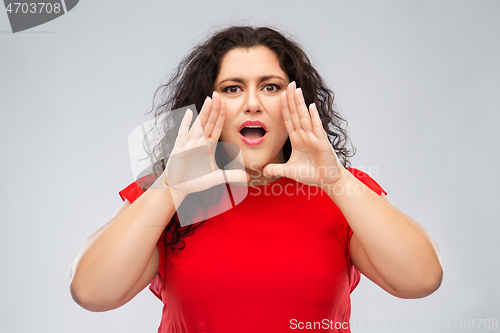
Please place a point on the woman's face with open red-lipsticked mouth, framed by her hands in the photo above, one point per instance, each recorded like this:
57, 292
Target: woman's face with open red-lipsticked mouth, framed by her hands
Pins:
251, 81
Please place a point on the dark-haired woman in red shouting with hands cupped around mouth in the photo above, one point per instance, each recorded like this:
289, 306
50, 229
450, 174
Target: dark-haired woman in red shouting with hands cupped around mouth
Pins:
289, 254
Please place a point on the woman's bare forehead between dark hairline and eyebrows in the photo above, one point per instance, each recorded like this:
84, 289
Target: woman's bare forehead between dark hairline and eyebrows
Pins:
253, 62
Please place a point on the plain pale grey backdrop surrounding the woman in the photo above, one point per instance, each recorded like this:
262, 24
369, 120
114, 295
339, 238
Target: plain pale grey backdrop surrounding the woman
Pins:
417, 80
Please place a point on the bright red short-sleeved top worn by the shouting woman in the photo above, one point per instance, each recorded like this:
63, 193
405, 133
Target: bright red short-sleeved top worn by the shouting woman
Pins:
276, 262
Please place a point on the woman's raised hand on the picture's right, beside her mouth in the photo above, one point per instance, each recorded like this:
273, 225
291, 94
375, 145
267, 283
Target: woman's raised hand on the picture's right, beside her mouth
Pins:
313, 160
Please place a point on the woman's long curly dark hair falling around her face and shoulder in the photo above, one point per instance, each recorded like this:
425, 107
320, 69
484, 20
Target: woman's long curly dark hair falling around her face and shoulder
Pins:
194, 79
